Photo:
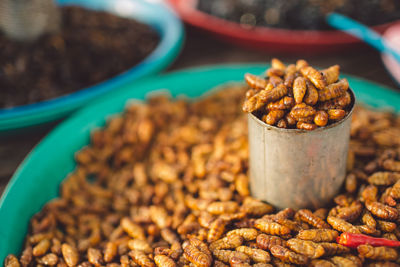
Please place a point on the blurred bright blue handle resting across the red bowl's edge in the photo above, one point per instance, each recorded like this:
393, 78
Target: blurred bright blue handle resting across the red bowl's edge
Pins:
362, 32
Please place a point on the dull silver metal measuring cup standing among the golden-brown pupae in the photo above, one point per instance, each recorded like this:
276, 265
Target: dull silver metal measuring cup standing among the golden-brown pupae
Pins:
297, 168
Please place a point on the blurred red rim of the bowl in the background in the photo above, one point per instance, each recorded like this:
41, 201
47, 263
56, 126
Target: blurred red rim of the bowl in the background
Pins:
265, 38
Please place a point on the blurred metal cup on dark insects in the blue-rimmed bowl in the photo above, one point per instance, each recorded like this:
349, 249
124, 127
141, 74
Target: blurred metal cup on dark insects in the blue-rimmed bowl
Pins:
26, 20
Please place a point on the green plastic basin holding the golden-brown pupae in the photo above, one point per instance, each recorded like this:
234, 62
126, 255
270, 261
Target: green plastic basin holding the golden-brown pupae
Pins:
38, 178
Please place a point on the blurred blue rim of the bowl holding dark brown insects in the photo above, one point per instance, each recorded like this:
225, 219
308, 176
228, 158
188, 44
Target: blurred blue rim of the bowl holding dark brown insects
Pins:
158, 15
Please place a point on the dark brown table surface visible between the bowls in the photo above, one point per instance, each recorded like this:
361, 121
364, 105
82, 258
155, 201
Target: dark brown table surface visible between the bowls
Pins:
201, 49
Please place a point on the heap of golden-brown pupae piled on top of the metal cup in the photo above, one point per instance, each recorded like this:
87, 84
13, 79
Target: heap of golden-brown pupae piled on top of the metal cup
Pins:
298, 96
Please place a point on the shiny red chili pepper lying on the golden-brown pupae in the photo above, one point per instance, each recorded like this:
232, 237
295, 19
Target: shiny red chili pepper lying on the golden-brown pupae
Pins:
354, 240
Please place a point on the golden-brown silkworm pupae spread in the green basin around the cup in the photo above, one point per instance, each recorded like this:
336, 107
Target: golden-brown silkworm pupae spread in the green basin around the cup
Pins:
166, 184
